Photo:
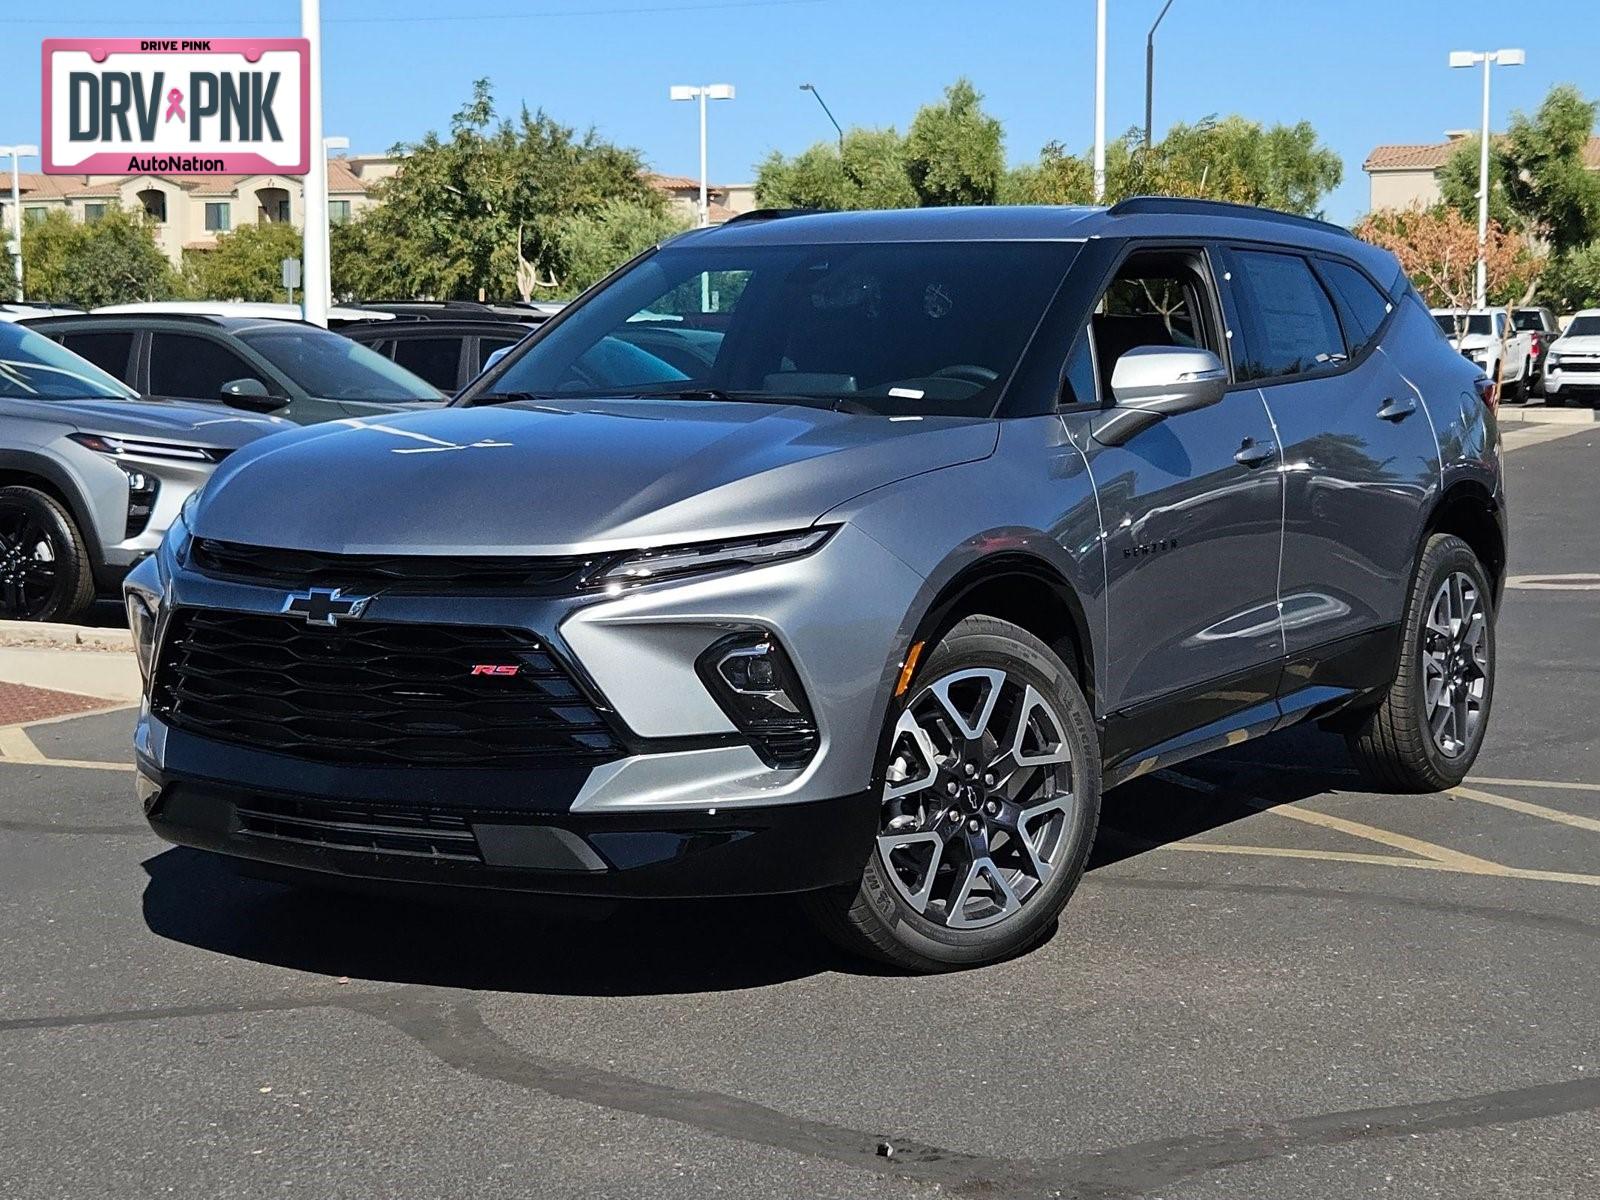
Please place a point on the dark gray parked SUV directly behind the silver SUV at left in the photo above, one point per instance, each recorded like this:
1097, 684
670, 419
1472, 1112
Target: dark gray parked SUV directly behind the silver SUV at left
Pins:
289, 369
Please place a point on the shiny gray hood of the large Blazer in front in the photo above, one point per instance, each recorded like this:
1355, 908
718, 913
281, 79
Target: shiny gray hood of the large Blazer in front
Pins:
569, 478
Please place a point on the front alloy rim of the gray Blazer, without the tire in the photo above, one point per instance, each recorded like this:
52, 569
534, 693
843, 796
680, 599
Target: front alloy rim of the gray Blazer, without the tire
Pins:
978, 802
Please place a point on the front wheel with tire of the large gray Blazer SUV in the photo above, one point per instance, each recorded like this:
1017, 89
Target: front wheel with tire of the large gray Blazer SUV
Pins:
926, 900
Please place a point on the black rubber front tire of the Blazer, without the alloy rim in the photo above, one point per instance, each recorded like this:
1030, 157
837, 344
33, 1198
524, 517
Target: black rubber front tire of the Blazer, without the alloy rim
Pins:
986, 642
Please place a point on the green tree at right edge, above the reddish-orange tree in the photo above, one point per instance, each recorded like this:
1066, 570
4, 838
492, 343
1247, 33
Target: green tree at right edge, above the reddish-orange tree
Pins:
1538, 177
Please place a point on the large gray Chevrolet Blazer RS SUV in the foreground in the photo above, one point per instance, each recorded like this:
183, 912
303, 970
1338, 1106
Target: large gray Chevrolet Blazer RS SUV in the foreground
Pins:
850, 556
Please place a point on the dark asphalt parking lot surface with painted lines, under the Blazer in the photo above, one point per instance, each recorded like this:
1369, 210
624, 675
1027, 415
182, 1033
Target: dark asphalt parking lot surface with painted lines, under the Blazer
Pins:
1271, 985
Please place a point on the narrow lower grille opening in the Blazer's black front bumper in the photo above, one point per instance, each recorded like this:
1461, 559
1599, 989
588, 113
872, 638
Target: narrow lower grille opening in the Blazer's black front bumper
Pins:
345, 826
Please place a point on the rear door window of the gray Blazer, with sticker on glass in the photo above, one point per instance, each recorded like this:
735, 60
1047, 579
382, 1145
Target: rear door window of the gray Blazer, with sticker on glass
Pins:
1289, 321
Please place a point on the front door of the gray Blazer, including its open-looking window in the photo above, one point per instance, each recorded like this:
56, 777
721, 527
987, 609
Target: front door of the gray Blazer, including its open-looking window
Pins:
1193, 519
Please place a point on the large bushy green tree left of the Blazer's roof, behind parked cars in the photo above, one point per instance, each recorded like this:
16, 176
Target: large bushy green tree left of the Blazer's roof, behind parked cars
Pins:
482, 214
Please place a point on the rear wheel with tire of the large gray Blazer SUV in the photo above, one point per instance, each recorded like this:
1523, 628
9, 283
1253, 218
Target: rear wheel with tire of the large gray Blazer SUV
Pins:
1409, 745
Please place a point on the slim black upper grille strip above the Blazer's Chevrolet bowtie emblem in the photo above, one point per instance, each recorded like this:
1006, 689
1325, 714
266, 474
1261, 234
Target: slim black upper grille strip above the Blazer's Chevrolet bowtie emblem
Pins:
394, 574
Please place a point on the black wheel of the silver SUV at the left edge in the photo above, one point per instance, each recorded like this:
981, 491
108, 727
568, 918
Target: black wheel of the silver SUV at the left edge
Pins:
46, 570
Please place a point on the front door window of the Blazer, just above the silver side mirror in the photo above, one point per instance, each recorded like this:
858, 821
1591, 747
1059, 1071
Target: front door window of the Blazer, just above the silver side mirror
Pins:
1158, 298
